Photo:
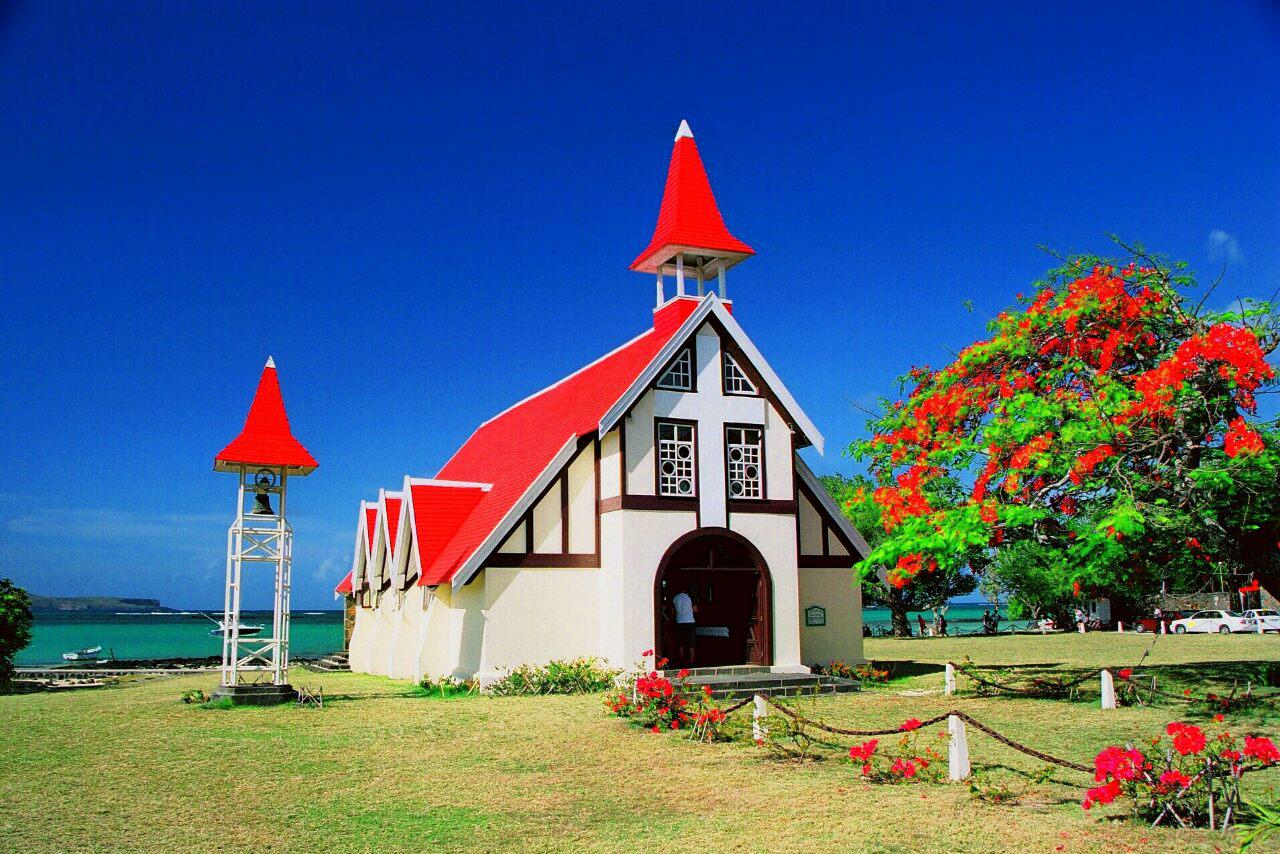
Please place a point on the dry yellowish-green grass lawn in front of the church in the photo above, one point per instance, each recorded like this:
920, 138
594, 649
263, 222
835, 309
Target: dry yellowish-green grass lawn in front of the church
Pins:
383, 768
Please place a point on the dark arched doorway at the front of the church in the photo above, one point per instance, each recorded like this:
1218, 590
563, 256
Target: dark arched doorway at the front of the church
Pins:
730, 584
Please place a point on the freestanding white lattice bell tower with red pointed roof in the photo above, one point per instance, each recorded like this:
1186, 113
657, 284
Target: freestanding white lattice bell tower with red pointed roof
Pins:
263, 458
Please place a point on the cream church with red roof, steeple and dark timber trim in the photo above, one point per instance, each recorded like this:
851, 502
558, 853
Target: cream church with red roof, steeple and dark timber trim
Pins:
566, 526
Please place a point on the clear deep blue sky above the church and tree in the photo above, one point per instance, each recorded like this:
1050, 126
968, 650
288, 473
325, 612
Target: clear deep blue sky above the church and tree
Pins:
426, 212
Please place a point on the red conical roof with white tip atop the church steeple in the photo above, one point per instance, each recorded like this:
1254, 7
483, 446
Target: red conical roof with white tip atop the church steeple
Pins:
689, 220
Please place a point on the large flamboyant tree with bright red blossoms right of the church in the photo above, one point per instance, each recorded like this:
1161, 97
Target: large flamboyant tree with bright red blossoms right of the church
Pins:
1109, 419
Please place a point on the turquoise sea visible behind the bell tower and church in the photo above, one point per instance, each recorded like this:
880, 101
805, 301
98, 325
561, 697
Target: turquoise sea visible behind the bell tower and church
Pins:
313, 633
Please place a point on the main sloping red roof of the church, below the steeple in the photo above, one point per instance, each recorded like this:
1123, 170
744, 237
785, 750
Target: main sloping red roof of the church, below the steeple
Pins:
511, 450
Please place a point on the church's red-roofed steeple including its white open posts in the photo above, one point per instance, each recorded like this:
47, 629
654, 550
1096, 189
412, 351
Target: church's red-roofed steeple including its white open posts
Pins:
691, 239
